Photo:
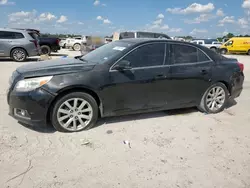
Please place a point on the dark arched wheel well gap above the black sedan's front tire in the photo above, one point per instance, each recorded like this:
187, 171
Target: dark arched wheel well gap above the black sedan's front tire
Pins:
67, 91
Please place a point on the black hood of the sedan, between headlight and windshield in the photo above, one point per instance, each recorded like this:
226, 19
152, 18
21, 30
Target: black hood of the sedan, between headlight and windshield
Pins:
54, 67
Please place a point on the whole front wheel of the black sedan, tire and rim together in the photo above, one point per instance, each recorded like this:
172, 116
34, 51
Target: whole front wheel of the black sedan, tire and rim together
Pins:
74, 116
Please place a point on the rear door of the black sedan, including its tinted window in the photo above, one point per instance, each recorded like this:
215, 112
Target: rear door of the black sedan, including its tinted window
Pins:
190, 72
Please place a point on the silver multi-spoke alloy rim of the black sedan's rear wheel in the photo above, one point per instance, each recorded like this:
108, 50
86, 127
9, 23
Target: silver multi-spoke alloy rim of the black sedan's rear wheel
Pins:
216, 98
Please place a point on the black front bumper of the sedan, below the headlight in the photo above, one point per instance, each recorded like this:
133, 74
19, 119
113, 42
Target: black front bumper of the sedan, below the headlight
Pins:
36, 103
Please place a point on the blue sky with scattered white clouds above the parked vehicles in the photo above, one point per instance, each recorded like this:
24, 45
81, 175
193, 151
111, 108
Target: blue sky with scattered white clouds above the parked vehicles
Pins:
199, 18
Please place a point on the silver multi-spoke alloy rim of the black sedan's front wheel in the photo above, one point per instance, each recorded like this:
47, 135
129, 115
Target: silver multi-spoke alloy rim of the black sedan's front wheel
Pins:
75, 114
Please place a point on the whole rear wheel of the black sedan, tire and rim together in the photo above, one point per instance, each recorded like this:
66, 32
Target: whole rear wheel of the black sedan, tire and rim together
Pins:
207, 97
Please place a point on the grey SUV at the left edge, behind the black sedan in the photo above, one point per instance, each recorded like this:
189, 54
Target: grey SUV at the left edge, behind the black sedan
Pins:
18, 44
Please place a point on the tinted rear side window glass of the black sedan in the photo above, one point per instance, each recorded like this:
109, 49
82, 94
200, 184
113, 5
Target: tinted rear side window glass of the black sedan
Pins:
184, 54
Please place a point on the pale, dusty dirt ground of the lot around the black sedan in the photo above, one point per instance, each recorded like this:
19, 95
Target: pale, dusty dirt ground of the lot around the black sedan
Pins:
173, 149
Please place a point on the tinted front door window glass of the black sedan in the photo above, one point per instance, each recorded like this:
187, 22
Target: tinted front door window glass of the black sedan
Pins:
147, 55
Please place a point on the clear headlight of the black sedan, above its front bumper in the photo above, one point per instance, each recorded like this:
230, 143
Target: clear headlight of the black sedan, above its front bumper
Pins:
32, 83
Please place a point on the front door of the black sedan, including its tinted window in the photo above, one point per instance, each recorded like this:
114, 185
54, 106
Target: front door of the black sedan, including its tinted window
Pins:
143, 86
